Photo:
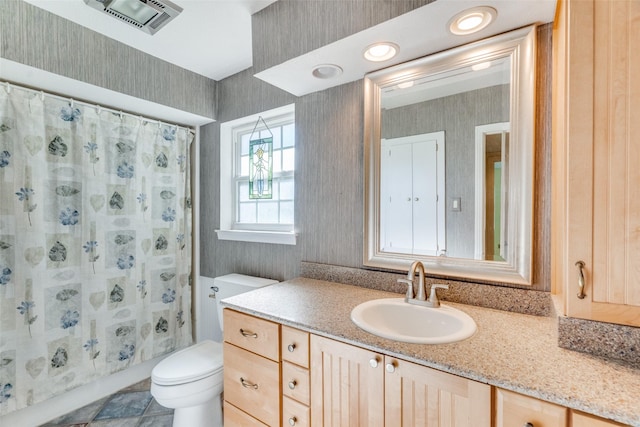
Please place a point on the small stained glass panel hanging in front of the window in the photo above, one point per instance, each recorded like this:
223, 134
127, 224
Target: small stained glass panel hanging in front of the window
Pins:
260, 168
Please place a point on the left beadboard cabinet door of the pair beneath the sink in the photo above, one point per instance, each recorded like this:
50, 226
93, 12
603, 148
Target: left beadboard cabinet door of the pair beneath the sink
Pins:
347, 385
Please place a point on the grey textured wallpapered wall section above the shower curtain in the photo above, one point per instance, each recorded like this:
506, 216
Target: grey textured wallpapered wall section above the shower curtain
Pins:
32, 36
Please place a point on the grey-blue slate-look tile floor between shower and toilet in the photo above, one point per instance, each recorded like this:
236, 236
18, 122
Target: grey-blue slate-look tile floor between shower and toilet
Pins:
130, 407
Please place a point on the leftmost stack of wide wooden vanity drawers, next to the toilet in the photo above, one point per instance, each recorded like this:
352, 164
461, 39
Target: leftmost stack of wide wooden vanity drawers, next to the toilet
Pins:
251, 371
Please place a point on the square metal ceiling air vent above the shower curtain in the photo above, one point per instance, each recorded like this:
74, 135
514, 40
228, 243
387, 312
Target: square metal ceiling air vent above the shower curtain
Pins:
146, 15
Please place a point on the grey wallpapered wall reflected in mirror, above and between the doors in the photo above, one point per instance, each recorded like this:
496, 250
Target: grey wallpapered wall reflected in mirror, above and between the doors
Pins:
456, 115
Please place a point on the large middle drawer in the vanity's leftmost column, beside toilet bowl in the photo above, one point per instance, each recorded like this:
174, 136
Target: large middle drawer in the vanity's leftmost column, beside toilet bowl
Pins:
252, 384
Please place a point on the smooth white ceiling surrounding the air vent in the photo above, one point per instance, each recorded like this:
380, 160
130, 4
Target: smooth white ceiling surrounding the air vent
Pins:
210, 37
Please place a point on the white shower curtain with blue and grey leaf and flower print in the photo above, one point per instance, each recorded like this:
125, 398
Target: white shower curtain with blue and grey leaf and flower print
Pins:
95, 243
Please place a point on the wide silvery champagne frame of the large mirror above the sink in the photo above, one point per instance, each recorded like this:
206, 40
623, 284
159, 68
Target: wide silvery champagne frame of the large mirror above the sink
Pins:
517, 269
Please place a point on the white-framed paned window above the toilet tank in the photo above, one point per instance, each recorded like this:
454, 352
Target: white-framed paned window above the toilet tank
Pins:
268, 220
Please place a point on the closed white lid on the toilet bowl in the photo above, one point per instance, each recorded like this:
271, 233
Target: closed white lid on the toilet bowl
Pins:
190, 364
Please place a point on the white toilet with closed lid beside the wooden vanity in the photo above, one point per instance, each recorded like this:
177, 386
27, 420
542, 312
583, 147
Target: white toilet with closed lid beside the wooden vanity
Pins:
190, 380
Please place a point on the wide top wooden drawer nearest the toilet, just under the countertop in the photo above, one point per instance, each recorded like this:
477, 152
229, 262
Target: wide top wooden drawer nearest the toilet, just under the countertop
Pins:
256, 335
